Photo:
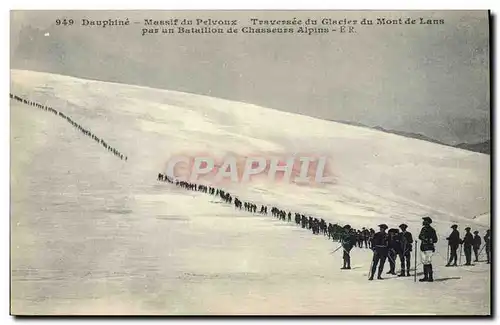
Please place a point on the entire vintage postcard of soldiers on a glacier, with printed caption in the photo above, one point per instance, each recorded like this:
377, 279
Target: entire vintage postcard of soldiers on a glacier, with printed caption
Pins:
250, 163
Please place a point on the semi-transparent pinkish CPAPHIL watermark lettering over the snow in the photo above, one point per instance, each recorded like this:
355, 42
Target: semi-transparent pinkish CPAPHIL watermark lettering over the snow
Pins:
298, 169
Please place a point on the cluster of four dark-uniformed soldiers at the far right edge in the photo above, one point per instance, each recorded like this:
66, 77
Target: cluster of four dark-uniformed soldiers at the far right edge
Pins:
470, 244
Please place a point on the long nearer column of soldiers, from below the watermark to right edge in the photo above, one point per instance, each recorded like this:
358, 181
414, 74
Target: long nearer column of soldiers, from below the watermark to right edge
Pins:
385, 244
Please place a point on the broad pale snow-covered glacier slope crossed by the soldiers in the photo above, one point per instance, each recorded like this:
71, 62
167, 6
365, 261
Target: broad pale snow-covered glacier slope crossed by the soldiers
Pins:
94, 234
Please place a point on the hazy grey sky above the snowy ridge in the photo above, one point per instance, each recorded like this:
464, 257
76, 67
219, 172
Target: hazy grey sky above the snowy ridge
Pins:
427, 79
